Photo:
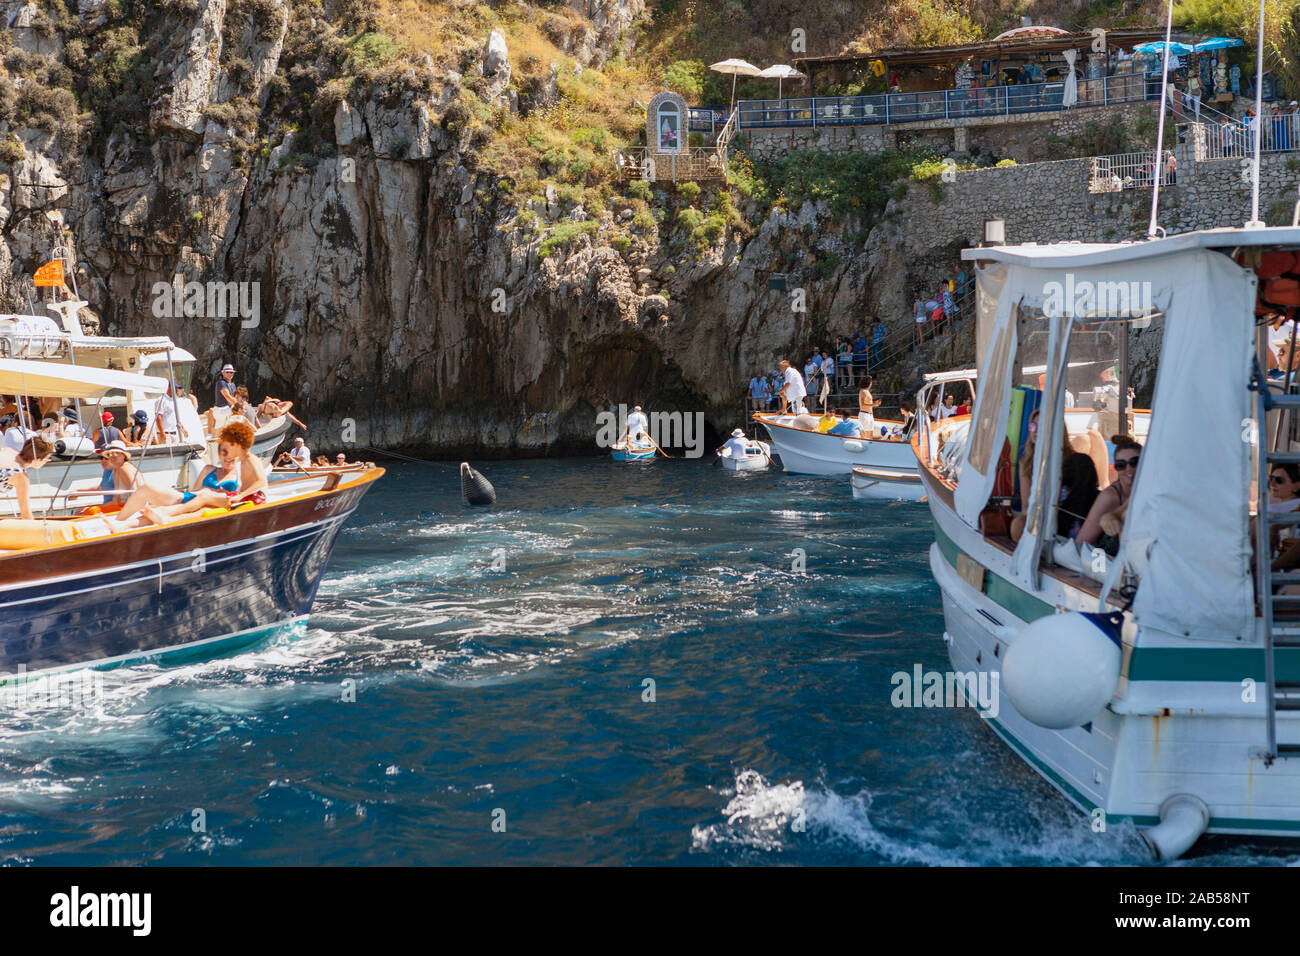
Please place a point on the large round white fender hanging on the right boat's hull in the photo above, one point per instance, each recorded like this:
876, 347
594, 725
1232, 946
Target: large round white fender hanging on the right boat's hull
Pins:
1063, 669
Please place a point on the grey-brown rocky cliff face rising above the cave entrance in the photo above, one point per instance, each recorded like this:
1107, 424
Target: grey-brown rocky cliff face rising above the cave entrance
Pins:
395, 287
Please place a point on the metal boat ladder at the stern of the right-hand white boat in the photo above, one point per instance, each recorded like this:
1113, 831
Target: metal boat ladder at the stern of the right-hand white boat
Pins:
1281, 612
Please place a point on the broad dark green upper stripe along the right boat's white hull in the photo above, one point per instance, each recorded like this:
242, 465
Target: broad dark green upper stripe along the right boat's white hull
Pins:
1230, 665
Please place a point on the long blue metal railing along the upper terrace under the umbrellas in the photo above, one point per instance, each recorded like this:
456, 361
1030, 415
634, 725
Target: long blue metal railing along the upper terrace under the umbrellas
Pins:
944, 105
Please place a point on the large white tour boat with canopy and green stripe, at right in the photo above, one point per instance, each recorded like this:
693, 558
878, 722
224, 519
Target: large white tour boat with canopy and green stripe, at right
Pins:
1160, 686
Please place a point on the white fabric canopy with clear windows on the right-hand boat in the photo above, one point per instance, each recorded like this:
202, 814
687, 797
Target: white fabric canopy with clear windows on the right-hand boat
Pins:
1186, 531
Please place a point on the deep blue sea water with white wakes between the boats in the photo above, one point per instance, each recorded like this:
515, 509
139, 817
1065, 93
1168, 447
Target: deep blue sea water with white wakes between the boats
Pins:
500, 660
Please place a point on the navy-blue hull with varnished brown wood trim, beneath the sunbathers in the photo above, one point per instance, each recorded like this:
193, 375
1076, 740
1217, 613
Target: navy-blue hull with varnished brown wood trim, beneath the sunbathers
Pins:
98, 599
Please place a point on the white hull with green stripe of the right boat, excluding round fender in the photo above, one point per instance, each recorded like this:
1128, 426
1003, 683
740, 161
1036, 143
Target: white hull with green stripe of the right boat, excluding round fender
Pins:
1171, 732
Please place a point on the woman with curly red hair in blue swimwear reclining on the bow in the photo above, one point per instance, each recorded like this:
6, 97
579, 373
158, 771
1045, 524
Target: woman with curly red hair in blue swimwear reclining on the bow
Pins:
241, 478
